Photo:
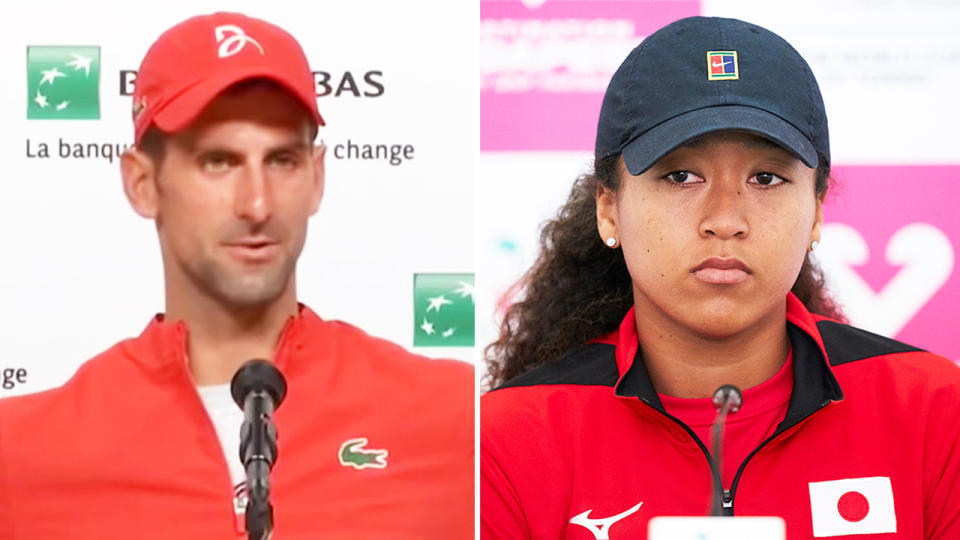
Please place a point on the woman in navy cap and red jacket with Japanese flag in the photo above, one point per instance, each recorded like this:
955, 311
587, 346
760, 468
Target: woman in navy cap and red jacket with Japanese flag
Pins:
679, 266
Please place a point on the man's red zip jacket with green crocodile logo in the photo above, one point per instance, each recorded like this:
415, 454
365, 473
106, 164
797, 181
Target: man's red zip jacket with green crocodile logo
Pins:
126, 450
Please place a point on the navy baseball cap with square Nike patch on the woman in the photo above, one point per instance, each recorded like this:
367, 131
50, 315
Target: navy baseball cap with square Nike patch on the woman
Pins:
704, 74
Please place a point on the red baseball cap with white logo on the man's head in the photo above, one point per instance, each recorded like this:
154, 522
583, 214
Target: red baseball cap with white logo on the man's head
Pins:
197, 59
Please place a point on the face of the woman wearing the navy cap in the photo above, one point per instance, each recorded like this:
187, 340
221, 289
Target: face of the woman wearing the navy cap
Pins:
715, 233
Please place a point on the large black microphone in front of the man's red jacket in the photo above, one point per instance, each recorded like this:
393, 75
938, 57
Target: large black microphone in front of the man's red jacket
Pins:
258, 388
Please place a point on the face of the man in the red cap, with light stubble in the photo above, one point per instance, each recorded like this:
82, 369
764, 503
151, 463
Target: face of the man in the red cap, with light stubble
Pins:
234, 192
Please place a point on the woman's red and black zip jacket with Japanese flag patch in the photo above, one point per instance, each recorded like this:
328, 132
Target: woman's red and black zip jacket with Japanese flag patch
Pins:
870, 446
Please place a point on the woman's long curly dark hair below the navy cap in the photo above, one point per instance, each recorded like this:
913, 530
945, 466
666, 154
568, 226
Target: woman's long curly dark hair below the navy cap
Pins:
579, 289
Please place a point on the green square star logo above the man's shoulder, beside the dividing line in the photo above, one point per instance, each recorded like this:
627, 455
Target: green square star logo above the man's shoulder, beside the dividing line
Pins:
443, 310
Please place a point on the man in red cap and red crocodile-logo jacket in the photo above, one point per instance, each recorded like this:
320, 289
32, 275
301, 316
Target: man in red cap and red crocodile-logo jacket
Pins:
142, 442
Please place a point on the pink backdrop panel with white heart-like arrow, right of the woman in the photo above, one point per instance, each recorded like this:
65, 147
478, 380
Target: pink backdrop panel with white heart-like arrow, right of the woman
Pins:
908, 228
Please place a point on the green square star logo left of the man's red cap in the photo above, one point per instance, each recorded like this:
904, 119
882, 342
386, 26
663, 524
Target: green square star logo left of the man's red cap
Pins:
63, 83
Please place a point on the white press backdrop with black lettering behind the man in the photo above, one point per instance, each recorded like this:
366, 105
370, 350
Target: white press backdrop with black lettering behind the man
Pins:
79, 270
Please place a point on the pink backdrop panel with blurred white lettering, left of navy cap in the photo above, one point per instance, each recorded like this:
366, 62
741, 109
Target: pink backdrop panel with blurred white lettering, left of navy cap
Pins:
547, 94
